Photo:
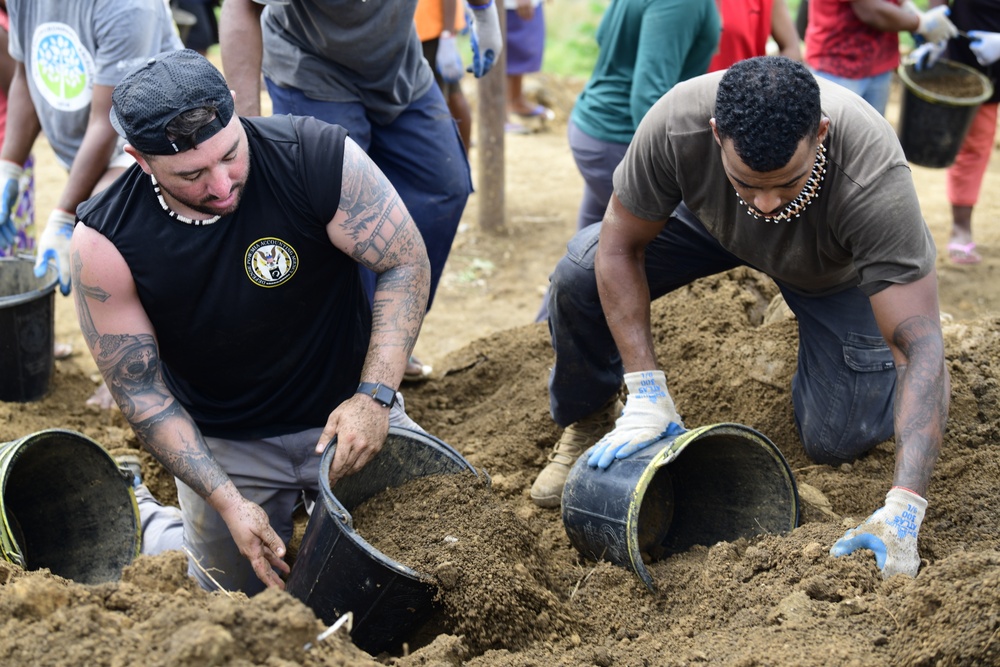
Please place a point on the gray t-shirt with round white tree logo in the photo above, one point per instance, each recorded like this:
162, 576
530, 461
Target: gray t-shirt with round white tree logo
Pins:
69, 47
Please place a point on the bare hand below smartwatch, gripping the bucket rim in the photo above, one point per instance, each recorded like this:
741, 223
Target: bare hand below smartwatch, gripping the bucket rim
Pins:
360, 426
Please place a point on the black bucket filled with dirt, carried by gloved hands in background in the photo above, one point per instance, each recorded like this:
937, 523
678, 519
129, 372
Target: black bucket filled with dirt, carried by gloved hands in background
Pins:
937, 109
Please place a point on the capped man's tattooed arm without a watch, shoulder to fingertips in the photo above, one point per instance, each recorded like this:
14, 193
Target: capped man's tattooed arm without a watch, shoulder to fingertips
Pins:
123, 343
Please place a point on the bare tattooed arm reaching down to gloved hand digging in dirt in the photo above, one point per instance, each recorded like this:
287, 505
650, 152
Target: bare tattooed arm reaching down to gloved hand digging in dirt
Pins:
909, 319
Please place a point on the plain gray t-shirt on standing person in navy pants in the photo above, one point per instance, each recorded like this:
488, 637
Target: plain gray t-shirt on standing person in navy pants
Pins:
347, 51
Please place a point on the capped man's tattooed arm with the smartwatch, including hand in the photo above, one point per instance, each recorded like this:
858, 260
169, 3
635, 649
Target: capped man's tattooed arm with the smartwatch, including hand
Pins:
373, 226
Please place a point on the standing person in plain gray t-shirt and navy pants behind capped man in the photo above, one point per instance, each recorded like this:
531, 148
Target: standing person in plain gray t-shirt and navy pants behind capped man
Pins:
361, 65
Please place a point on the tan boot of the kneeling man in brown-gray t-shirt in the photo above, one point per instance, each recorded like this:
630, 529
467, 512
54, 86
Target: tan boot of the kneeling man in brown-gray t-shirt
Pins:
575, 440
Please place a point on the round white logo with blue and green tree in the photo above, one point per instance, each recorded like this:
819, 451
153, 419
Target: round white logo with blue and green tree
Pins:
61, 68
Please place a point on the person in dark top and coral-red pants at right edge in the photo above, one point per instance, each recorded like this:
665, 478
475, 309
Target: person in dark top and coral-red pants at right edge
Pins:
979, 48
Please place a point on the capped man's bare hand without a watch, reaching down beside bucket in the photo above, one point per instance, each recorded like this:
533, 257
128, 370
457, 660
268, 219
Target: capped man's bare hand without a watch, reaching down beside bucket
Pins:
256, 540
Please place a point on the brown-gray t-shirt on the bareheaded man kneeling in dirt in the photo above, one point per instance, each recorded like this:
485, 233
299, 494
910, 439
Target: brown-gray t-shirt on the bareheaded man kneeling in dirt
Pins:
864, 228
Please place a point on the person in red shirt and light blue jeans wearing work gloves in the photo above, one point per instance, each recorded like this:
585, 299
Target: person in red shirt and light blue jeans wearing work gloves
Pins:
856, 42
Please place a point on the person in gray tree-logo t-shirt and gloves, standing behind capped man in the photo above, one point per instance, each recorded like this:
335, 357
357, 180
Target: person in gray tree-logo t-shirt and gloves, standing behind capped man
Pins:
69, 57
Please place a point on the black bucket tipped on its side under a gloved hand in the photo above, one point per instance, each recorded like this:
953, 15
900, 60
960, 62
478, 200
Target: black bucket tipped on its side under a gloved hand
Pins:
716, 483
